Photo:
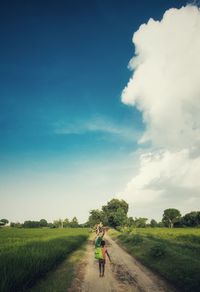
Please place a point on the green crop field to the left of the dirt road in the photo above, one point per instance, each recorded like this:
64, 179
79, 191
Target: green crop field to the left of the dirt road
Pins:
27, 254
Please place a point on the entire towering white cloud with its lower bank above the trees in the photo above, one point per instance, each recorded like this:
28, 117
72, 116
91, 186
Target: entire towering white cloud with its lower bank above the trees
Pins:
165, 88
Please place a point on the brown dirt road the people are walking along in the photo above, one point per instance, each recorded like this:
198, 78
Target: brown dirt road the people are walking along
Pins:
123, 274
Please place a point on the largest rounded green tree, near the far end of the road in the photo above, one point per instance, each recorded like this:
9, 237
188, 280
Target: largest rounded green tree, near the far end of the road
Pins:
116, 212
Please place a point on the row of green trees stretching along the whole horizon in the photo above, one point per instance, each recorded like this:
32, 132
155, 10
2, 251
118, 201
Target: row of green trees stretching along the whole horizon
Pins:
115, 214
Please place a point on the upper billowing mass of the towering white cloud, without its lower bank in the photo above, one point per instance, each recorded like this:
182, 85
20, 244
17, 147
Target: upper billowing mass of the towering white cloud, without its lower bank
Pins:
165, 82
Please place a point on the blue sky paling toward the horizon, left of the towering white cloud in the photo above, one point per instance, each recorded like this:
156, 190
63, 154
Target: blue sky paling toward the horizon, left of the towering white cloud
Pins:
66, 139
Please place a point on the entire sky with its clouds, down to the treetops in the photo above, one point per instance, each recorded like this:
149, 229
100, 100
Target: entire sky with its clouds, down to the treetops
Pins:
98, 99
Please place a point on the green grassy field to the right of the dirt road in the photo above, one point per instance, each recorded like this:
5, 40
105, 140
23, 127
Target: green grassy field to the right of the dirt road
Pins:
173, 253
